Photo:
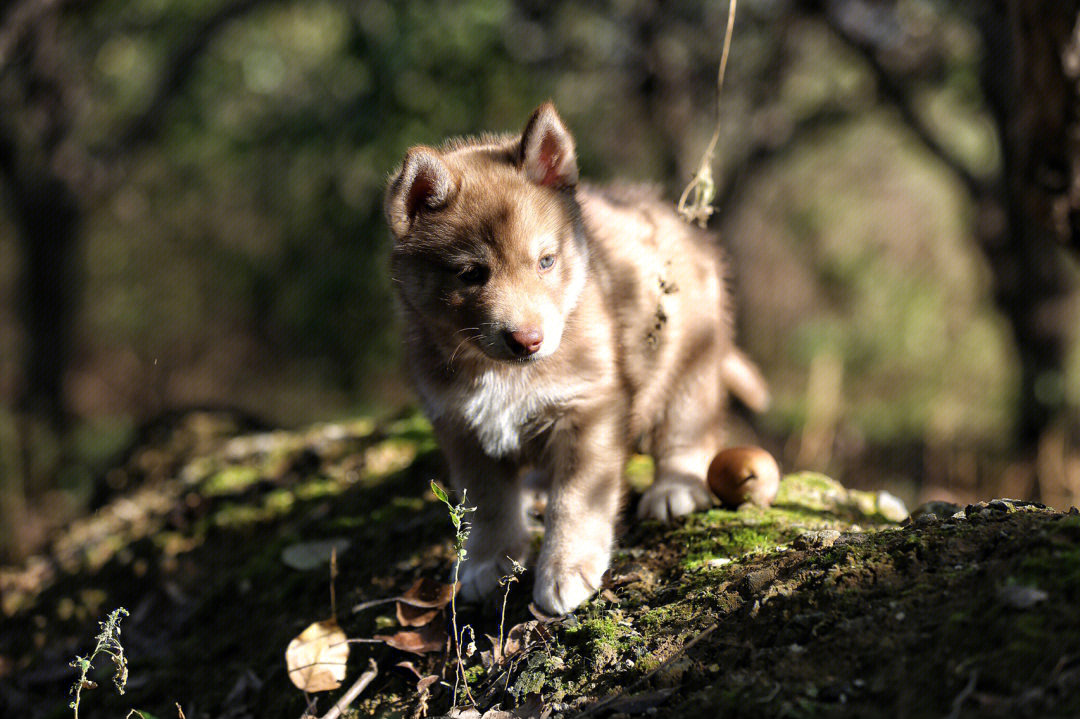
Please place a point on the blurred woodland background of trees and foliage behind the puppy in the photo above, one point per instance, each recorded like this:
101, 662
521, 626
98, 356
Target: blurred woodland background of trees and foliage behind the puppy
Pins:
194, 192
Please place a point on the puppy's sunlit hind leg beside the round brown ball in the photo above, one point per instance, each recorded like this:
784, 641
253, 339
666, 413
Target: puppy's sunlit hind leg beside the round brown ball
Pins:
685, 443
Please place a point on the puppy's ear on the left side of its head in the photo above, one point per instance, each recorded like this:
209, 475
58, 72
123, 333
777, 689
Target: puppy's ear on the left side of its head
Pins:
424, 182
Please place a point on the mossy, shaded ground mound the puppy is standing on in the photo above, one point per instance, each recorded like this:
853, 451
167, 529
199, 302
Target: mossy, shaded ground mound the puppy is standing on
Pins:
821, 606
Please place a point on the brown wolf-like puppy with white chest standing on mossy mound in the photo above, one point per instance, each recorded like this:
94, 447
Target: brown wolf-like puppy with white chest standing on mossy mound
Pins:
550, 329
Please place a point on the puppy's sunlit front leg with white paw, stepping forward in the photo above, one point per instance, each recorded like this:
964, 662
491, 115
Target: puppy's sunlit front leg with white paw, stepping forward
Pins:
588, 457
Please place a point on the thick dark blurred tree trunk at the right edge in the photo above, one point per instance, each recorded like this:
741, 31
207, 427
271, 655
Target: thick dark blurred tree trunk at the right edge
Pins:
1032, 216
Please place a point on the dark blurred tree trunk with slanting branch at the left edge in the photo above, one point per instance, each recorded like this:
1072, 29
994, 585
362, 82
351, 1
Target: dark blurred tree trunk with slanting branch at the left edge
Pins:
49, 181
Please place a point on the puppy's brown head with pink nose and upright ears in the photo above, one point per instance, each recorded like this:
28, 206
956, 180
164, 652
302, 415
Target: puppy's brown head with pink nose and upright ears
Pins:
490, 252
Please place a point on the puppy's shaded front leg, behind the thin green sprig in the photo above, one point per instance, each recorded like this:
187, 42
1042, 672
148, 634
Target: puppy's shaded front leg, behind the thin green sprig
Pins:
498, 534
